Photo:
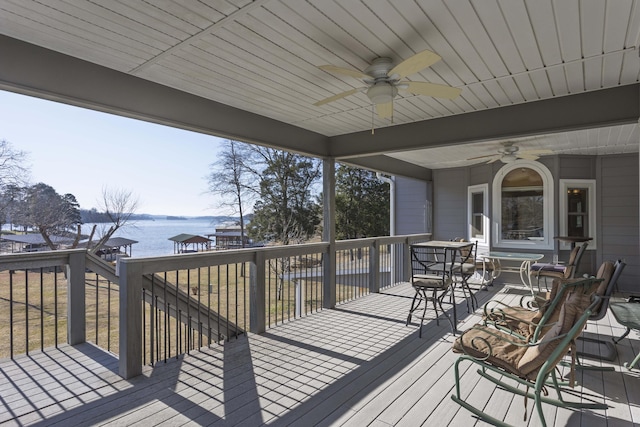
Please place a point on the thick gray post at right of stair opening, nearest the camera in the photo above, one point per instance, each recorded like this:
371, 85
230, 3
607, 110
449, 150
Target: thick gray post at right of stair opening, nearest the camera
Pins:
130, 362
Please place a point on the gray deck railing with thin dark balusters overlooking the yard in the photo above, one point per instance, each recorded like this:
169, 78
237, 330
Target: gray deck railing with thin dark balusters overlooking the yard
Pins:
151, 309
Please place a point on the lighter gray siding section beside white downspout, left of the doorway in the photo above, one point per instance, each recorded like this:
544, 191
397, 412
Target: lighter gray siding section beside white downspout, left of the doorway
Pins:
411, 206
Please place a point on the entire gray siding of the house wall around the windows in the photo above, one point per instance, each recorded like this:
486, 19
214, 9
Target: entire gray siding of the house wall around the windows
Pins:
618, 206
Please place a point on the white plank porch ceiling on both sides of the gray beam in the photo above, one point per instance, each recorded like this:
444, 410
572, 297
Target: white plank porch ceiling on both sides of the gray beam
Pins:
262, 56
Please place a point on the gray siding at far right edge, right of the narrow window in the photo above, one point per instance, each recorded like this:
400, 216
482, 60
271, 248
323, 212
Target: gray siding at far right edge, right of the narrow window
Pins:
618, 216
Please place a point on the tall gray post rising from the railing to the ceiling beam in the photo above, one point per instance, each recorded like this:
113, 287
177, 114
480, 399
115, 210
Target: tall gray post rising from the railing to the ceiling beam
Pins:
329, 232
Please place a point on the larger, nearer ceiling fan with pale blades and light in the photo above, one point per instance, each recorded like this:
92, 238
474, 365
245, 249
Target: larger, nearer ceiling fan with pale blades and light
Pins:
383, 80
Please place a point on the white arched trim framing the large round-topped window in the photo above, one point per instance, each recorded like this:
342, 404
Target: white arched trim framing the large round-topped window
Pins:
547, 183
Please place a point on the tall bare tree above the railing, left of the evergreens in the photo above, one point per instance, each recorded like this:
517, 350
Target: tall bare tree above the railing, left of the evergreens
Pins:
233, 180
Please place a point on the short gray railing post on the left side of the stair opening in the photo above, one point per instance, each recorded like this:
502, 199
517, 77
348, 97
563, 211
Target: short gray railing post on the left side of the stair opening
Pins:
76, 325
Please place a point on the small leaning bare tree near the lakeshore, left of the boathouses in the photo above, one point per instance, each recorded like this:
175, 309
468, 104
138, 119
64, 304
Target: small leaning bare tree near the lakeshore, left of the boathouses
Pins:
119, 205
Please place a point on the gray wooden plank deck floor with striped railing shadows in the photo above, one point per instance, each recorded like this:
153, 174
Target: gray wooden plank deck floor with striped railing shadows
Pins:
356, 365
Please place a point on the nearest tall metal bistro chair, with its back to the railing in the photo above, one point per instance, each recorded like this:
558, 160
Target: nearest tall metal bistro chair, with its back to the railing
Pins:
431, 278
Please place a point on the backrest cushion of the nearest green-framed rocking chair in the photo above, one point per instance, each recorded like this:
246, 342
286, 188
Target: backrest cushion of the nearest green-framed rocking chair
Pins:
535, 356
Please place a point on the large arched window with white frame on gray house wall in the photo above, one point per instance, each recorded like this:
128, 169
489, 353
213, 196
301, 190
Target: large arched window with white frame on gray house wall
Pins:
523, 206
